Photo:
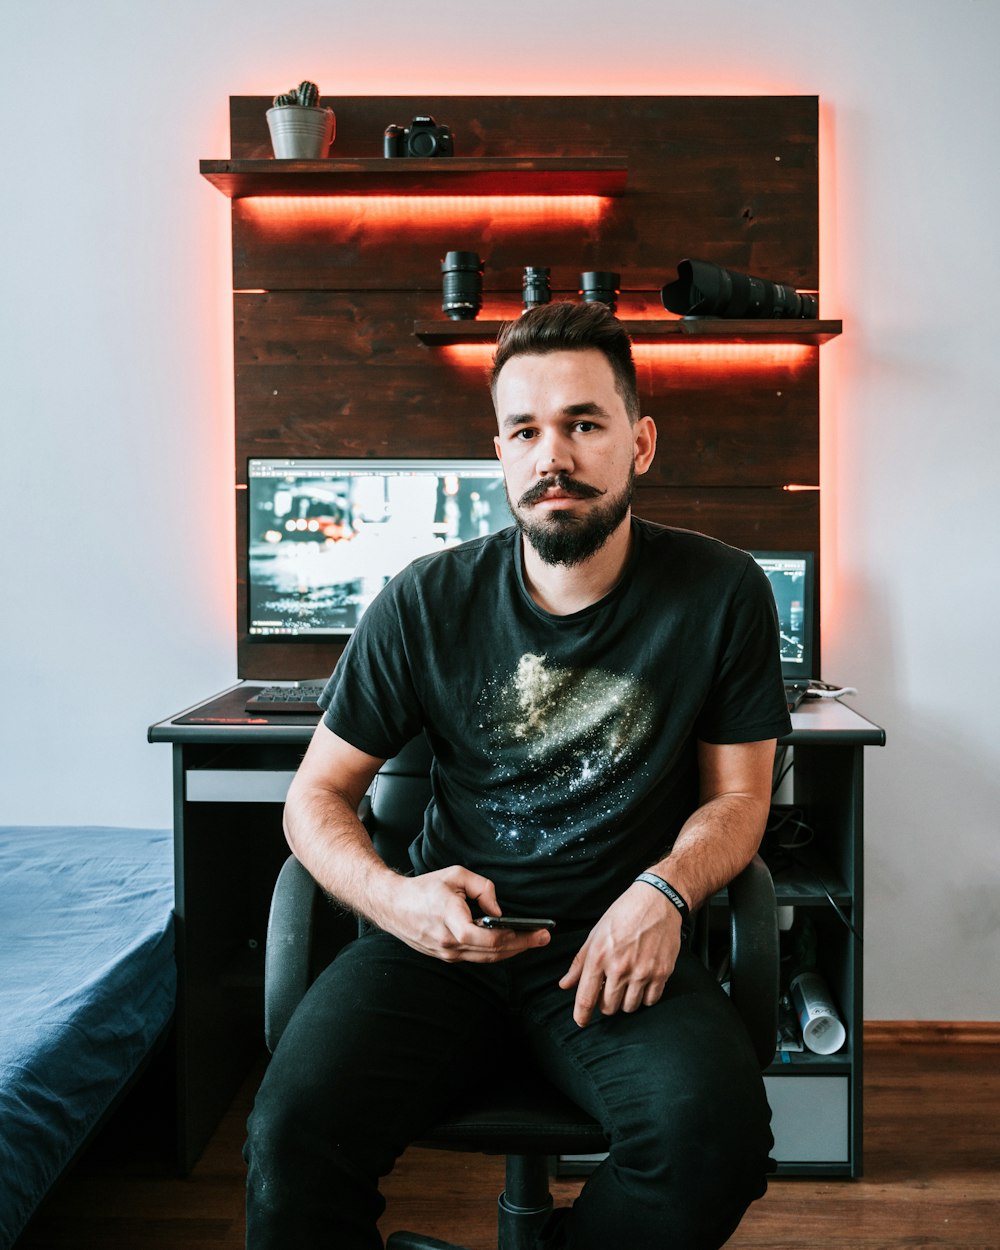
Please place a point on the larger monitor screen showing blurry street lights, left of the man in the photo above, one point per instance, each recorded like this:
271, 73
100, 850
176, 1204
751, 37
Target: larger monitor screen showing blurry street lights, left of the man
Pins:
327, 536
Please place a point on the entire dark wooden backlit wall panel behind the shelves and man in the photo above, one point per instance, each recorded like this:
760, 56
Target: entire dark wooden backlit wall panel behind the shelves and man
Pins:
328, 291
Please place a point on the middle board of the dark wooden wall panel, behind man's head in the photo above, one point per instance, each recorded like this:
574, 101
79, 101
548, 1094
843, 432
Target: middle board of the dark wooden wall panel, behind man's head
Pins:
342, 374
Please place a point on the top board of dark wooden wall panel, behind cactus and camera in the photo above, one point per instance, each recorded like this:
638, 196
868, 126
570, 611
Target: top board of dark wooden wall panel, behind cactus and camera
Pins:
731, 179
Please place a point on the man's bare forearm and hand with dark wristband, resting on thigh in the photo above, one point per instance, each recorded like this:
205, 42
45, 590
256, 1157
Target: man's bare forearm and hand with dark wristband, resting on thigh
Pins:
631, 953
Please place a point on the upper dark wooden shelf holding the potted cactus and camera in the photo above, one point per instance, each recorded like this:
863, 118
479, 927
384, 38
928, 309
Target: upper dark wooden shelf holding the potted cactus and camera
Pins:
444, 176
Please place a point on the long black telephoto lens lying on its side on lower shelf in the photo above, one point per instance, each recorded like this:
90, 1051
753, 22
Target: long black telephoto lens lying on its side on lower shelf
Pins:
704, 289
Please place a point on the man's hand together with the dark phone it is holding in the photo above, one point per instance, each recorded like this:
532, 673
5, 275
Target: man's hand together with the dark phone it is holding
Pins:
432, 914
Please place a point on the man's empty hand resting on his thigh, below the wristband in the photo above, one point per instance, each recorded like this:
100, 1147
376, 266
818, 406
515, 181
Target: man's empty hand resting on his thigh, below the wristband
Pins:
628, 957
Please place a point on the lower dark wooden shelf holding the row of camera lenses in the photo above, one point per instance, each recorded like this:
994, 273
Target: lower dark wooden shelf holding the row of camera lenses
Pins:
439, 334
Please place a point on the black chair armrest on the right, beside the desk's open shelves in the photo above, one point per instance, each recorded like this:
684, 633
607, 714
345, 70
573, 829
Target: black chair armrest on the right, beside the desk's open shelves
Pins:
756, 956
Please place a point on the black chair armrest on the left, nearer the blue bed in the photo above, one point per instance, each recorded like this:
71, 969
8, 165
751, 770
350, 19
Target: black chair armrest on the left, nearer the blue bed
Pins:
287, 956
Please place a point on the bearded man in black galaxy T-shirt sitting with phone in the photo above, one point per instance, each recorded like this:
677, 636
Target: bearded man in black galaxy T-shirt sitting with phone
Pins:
603, 697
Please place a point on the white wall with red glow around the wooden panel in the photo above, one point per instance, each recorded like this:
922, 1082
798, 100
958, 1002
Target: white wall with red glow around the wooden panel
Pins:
117, 399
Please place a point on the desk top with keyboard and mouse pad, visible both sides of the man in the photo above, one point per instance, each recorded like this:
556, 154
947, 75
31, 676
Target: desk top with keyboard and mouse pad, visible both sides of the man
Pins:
224, 719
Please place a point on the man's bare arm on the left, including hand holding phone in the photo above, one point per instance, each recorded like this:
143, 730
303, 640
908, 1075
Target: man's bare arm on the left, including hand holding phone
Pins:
429, 913
